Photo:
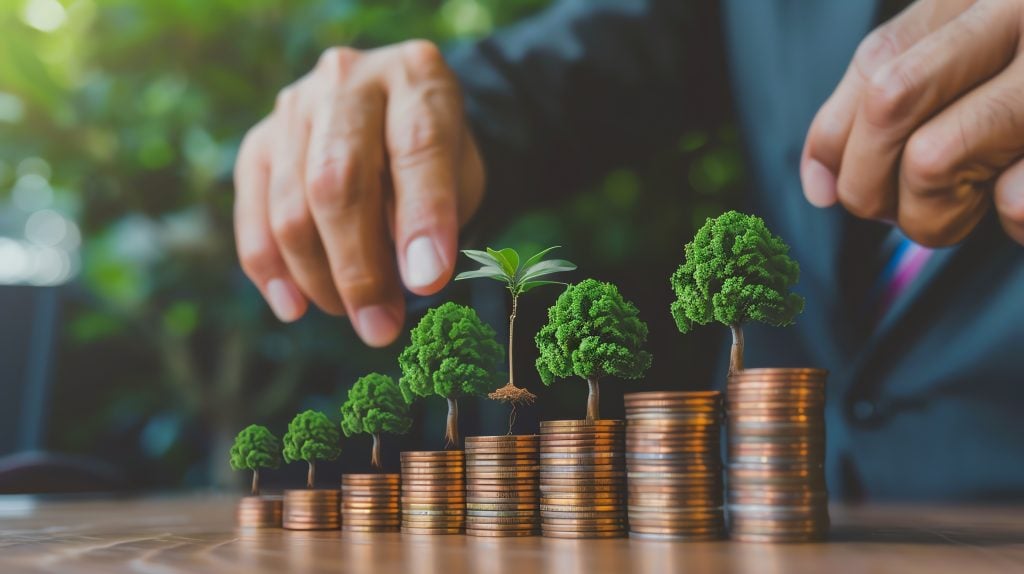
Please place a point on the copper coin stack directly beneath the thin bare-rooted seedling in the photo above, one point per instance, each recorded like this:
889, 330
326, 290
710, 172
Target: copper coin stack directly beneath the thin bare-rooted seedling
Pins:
501, 485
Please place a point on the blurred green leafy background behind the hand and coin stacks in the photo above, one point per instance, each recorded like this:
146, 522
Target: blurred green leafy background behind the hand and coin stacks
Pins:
119, 125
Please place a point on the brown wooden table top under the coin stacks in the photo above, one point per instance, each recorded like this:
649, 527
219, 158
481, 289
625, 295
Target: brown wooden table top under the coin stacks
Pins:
197, 535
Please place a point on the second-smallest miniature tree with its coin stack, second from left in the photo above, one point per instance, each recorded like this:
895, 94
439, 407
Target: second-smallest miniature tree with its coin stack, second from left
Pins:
312, 437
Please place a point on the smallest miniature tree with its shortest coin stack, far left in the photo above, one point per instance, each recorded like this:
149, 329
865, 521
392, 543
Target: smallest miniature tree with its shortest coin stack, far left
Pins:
257, 448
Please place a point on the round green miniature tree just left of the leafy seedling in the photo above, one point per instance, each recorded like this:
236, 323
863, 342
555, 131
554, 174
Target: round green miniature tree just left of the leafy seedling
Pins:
451, 355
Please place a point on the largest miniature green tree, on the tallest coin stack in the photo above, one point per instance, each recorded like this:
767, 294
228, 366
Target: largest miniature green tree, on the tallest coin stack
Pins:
736, 271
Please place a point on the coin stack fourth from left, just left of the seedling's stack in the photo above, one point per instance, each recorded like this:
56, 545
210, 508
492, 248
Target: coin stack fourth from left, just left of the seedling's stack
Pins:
434, 492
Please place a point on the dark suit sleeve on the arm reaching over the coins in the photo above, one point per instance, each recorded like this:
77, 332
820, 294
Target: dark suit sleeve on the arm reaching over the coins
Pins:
585, 86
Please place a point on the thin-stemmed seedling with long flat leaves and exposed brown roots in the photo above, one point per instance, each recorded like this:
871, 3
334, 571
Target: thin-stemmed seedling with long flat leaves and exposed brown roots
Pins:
504, 267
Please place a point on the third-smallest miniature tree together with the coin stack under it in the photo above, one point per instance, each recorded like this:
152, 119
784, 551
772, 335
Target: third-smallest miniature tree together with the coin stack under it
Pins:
370, 502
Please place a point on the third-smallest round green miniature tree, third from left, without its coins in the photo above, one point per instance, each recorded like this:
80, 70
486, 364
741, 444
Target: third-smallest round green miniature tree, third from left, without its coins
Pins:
375, 406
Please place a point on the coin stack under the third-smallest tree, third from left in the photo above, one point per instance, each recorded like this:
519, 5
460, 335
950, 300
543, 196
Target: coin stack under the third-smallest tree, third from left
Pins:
370, 503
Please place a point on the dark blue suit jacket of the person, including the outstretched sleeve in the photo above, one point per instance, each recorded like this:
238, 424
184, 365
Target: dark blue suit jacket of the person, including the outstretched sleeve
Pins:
930, 404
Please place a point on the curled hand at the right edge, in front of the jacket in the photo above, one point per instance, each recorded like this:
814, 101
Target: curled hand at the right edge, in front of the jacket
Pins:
927, 127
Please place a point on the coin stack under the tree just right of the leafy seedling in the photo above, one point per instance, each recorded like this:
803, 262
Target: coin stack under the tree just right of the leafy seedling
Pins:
583, 479
